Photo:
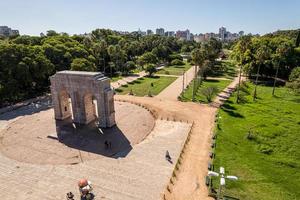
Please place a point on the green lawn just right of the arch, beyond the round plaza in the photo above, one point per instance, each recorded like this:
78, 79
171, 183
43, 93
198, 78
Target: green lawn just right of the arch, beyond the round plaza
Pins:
141, 86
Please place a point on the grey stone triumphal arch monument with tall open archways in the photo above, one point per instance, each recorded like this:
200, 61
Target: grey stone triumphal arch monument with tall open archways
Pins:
89, 94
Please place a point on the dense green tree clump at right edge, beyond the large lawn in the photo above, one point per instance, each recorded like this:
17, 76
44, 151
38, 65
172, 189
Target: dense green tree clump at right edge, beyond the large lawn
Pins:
267, 55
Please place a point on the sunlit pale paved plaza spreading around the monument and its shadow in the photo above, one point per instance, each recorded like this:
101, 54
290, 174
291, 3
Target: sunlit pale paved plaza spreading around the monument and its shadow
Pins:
34, 173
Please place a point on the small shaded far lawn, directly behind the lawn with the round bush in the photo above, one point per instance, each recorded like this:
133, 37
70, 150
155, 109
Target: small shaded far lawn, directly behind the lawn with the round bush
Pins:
223, 69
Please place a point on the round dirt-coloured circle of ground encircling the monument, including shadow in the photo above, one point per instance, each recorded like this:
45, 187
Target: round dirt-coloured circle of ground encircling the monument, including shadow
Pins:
39, 139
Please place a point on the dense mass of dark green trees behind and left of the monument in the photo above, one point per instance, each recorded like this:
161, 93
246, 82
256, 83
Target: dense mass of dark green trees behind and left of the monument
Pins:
26, 62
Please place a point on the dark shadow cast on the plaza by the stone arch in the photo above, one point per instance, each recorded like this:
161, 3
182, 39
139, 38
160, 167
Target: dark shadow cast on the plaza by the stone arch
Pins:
109, 142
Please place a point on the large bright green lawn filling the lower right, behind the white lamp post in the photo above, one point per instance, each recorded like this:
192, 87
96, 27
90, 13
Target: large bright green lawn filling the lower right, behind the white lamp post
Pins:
268, 161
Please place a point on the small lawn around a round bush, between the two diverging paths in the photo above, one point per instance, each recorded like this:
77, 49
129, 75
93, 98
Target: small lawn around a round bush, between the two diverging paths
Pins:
188, 94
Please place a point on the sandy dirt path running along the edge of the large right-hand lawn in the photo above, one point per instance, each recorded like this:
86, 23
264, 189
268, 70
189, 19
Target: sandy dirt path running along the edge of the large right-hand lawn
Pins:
190, 180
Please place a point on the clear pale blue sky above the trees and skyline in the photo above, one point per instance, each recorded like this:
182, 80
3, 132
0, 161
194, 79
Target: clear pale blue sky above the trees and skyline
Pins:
78, 16
